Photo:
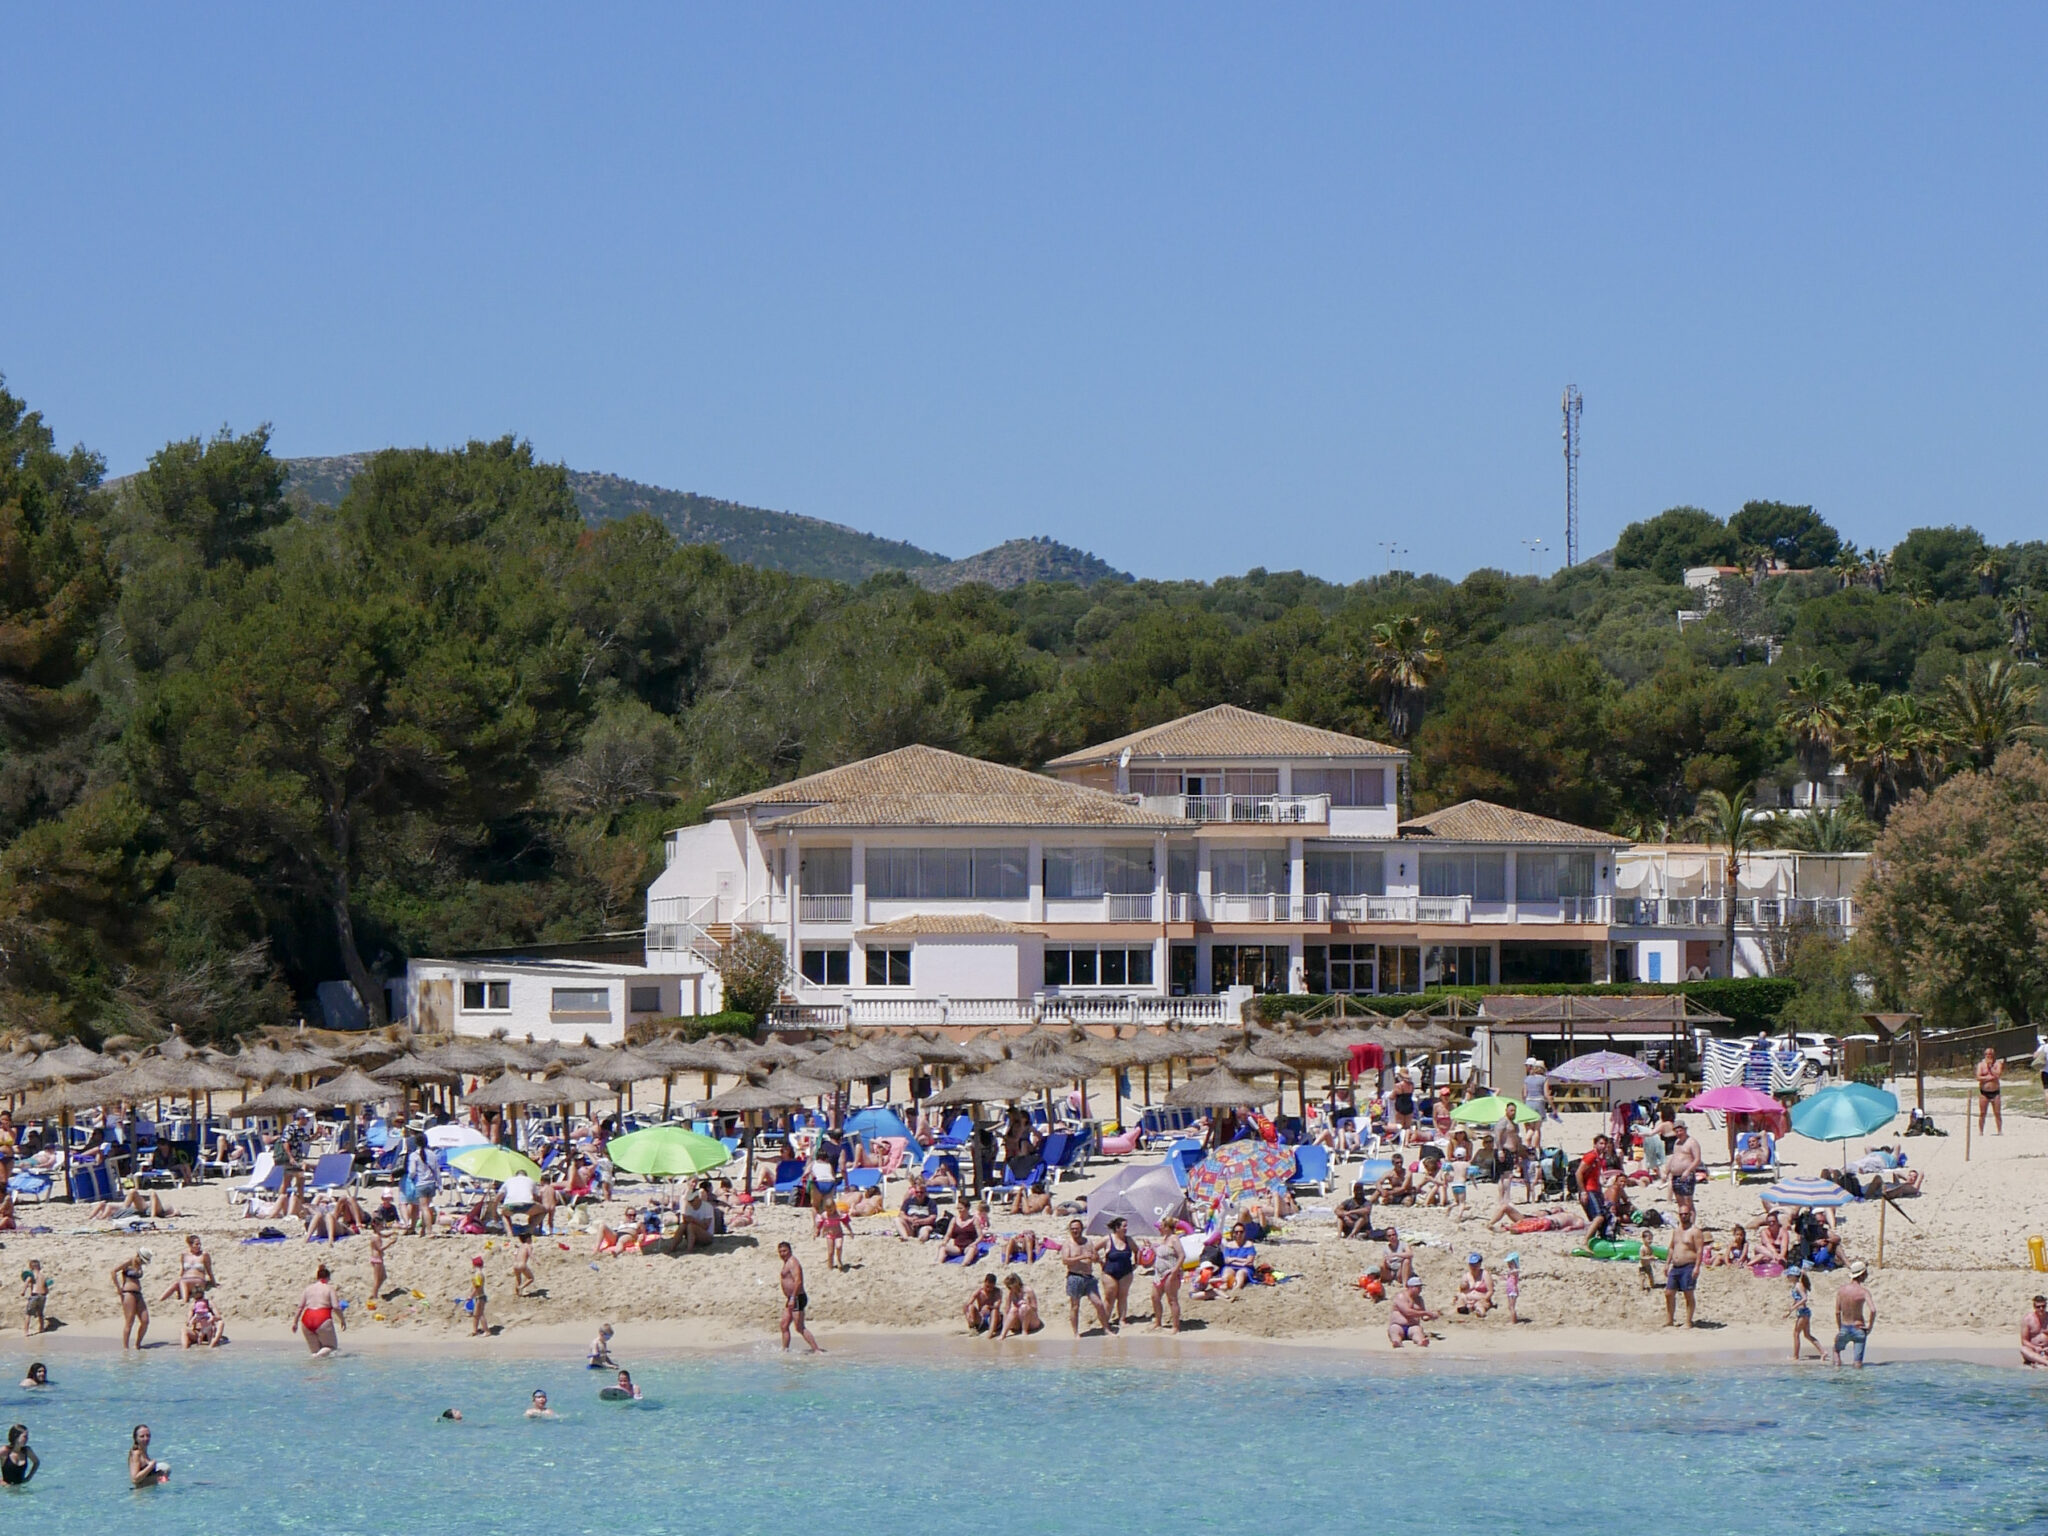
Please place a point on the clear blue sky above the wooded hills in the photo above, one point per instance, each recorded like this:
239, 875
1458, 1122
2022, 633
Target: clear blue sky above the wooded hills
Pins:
1193, 288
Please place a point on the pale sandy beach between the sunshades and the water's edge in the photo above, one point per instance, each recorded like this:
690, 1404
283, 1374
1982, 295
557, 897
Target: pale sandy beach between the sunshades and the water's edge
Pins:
1953, 1285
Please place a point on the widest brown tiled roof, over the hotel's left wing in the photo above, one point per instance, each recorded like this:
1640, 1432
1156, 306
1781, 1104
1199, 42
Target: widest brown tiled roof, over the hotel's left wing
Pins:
931, 787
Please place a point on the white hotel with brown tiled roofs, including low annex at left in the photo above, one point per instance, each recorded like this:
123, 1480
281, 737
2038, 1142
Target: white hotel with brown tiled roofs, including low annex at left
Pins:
1154, 876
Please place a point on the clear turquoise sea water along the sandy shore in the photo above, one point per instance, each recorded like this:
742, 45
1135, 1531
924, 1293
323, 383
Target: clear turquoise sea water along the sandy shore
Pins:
765, 1445
